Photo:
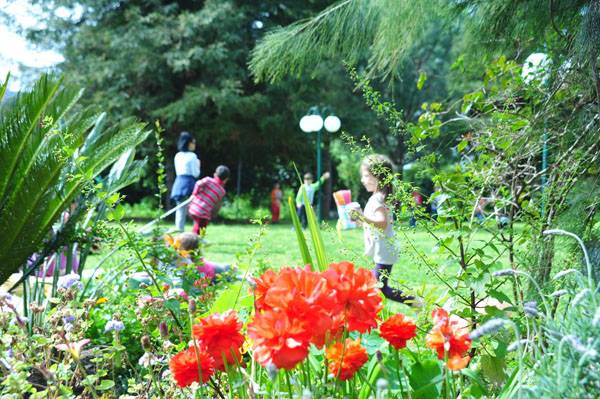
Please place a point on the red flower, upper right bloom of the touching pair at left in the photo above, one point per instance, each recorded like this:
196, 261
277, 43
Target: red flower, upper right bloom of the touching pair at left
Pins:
221, 336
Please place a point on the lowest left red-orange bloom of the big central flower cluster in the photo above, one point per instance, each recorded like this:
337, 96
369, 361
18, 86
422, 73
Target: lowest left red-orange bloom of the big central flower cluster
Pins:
278, 339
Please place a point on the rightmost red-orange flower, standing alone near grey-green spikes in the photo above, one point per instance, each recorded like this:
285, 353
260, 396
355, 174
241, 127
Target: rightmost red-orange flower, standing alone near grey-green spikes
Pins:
449, 336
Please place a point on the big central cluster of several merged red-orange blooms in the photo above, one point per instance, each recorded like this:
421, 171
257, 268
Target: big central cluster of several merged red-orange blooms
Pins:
296, 307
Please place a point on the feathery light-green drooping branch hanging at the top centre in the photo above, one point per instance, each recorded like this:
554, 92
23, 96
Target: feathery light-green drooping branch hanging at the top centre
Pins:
350, 30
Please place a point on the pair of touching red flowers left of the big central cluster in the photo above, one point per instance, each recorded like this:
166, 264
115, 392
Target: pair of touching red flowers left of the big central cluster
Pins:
217, 338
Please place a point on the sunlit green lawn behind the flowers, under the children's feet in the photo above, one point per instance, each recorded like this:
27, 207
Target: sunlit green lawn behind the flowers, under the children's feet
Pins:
278, 247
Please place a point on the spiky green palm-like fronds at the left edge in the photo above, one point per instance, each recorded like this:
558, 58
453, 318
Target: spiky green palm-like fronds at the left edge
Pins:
49, 152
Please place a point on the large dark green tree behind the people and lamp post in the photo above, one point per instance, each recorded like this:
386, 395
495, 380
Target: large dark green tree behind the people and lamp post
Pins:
185, 63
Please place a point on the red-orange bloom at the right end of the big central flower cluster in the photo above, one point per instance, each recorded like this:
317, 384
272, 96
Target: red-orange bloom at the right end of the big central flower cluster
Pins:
357, 294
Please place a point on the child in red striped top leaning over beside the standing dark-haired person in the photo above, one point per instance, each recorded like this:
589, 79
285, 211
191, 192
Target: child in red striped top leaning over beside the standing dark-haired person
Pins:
207, 197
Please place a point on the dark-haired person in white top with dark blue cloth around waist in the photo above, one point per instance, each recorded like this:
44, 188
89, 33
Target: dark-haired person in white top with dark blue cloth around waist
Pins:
187, 170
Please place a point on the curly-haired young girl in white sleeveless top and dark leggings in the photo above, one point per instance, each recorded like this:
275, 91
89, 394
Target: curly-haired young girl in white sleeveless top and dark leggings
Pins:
377, 222
